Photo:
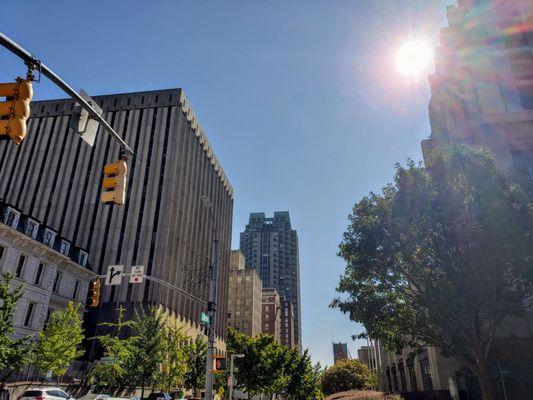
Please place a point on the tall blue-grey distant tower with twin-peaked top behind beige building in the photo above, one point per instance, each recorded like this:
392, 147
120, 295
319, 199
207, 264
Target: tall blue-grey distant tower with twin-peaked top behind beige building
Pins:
270, 246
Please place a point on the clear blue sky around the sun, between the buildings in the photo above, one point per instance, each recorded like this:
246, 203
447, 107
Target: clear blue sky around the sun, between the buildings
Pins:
300, 99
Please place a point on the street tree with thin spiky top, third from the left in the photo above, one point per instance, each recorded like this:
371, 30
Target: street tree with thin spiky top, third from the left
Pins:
118, 351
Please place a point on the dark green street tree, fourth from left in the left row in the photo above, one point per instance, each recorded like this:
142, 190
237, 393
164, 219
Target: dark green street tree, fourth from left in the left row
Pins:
148, 346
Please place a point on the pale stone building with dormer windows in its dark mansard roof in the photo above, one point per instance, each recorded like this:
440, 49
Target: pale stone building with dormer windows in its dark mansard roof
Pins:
37, 258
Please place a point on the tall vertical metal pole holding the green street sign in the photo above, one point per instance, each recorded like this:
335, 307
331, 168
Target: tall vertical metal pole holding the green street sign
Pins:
212, 323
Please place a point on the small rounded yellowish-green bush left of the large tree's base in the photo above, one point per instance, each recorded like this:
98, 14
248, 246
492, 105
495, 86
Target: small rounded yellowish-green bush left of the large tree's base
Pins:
348, 375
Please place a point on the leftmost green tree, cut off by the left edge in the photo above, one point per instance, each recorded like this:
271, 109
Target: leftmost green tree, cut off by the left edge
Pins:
13, 352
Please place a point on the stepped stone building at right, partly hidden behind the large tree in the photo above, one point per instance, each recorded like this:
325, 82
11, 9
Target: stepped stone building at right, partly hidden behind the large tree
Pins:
481, 94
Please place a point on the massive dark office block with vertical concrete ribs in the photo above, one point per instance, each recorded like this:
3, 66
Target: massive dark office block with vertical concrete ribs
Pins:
164, 225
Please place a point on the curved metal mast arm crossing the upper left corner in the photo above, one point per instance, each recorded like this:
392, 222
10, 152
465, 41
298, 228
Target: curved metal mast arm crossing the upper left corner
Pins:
34, 63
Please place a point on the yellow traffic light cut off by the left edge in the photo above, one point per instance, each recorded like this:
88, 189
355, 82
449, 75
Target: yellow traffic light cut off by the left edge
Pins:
15, 110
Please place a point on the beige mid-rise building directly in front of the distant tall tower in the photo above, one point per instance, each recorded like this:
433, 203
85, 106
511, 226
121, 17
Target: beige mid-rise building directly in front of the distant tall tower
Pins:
244, 297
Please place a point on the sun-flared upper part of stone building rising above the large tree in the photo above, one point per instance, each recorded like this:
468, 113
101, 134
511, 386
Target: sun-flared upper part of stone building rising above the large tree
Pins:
482, 90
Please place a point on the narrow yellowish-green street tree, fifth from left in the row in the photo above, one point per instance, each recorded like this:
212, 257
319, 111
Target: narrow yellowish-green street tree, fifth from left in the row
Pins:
174, 364
